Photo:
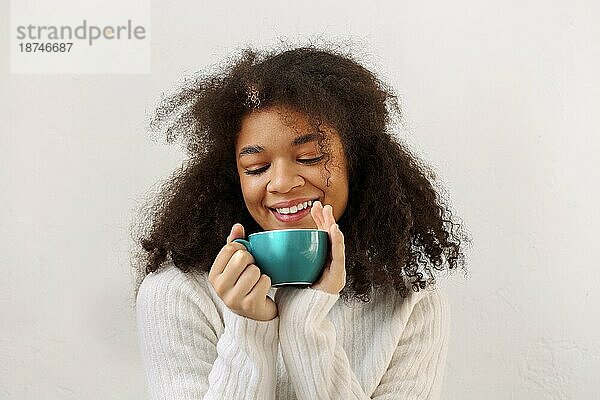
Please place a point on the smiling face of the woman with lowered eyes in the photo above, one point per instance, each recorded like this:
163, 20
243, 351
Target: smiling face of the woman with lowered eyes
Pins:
281, 168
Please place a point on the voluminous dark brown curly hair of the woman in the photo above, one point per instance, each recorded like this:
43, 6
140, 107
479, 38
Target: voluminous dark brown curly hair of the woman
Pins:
398, 231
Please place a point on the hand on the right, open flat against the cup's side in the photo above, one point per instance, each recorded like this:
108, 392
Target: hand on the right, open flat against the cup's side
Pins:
333, 279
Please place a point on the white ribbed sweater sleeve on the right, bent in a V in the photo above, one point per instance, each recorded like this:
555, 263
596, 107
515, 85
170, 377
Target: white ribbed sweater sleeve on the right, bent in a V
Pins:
319, 368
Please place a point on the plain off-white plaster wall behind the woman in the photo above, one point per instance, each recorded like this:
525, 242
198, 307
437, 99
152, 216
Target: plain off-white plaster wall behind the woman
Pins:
501, 98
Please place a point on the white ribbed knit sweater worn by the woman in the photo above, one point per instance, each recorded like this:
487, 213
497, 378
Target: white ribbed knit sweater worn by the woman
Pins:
194, 347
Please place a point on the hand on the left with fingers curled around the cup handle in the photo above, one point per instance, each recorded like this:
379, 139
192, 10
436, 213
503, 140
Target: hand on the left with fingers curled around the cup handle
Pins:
239, 282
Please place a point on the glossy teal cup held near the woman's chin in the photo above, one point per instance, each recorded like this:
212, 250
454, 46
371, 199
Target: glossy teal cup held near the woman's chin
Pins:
292, 257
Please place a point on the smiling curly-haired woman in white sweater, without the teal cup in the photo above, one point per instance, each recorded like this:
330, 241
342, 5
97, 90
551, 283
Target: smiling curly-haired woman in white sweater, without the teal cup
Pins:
294, 139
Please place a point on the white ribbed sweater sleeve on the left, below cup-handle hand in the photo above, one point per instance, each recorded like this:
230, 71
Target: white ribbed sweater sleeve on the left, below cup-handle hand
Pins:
182, 354
